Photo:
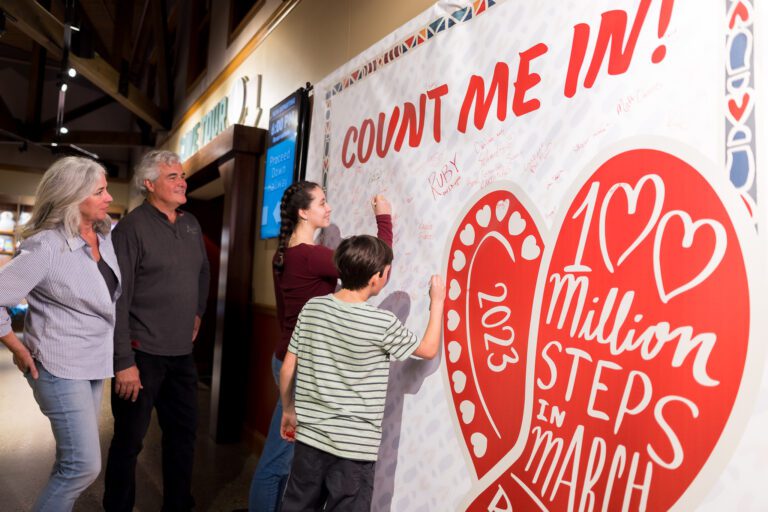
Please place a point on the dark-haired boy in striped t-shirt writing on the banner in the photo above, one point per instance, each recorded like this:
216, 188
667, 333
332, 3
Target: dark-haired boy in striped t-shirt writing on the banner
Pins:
340, 352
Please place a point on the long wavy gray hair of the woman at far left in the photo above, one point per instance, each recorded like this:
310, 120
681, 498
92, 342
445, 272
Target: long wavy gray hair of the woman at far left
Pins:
66, 184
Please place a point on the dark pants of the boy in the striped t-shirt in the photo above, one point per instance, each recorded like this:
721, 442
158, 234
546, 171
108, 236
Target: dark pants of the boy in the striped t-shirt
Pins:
318, 478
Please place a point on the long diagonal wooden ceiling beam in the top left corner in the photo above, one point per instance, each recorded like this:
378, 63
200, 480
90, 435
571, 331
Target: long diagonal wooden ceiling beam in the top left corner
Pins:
46, 30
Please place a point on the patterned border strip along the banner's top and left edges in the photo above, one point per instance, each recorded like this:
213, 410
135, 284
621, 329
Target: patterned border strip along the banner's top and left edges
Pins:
422, 35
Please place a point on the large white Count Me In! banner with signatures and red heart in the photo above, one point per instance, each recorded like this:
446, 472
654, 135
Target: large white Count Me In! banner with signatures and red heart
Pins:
585, 176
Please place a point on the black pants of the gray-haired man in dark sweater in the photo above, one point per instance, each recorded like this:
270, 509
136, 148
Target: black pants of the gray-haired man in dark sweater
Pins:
169, 385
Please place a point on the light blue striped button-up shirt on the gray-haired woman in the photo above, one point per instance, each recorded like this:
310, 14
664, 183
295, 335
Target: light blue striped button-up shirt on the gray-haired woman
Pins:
70, 322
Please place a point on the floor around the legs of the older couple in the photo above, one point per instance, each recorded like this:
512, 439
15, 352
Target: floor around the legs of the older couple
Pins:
222, 473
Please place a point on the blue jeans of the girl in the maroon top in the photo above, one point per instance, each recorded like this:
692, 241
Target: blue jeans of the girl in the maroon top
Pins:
275, 461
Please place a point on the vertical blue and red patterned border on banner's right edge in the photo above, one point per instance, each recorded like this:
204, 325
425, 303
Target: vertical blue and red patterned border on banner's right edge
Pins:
741, 150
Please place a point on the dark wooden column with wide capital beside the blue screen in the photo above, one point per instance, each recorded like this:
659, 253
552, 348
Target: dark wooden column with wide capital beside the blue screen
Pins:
232, 156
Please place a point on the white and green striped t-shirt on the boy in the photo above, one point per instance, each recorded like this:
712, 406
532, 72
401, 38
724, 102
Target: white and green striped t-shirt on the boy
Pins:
343, 353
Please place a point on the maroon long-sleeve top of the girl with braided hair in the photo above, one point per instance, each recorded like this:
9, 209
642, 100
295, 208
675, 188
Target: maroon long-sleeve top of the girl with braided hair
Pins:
308, 271
